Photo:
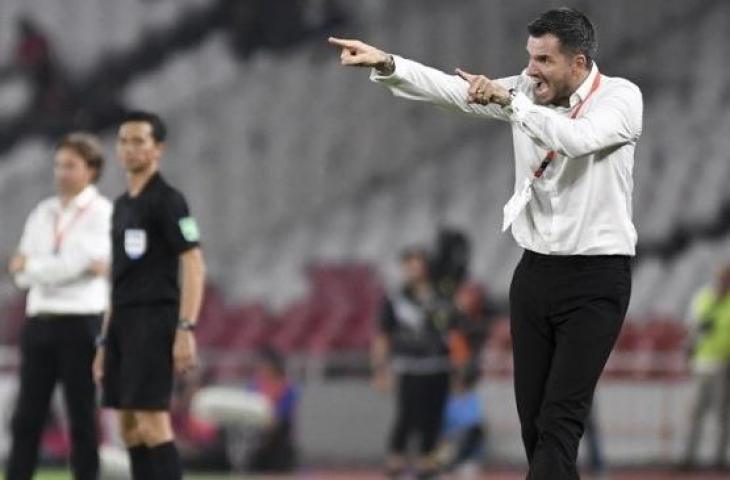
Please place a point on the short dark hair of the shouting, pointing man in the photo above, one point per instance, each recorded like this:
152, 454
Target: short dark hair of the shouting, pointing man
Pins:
573, 28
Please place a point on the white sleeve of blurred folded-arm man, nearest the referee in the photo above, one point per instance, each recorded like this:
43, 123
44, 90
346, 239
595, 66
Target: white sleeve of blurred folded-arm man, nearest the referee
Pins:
71, 263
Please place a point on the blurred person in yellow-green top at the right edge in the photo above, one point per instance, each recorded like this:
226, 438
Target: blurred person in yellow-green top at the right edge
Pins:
709, 317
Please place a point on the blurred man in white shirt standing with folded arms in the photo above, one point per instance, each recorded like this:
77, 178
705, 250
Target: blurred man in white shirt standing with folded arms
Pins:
63, 261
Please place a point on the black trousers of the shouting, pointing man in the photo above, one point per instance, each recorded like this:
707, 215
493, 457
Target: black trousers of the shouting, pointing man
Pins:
566, 312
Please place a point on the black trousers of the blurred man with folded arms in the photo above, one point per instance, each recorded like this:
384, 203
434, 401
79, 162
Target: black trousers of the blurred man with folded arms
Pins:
56, 348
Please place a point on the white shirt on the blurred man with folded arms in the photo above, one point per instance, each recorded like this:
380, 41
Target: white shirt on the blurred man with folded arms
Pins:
60, 243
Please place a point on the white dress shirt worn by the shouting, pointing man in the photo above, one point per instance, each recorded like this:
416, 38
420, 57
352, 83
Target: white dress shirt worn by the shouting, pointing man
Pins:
580, 203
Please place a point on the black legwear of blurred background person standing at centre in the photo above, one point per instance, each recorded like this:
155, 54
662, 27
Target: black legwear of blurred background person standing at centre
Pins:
421, 400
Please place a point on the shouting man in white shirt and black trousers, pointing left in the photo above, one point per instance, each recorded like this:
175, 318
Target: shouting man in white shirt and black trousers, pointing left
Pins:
575, 131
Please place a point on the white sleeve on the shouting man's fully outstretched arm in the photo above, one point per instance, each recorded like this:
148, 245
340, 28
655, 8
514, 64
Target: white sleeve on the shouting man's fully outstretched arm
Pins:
414, 81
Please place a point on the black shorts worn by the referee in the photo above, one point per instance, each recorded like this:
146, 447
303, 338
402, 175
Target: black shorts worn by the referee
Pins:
138, 365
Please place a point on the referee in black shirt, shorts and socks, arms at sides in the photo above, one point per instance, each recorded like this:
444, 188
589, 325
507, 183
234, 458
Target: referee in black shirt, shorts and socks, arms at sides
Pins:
157, 287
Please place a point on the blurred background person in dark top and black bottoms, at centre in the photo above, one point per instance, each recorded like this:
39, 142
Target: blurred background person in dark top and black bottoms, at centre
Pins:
412, 344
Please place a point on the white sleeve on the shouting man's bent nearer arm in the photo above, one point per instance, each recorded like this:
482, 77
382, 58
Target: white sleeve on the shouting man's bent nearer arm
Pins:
615, 119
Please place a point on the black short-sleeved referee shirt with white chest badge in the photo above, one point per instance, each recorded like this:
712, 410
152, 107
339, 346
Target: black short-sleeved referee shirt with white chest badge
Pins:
149, 232
